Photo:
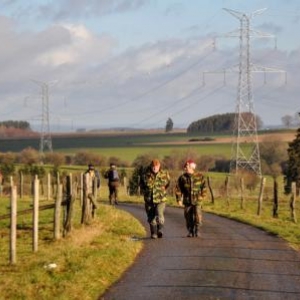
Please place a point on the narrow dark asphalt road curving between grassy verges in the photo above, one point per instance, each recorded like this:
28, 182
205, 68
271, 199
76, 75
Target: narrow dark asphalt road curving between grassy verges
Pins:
230, 260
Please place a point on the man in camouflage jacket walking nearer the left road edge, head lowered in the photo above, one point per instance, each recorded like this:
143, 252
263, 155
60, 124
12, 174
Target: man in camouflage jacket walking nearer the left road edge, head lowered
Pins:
154, 183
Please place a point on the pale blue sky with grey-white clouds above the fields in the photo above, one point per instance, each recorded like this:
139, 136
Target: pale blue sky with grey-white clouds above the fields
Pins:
101, 64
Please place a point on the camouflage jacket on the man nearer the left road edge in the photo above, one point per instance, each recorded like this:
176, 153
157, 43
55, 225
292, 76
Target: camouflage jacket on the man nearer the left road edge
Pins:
154, 186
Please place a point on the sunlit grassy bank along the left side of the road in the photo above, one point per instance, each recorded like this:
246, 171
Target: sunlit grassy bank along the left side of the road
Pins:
80, 266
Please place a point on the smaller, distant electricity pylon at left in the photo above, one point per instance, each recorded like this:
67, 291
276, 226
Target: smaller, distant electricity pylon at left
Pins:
45, 140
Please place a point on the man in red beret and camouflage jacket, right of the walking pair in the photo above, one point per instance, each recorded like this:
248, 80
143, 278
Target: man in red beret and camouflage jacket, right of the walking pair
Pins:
190, 191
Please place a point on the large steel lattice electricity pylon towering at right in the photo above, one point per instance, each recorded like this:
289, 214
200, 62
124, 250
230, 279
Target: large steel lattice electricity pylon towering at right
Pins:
245, 146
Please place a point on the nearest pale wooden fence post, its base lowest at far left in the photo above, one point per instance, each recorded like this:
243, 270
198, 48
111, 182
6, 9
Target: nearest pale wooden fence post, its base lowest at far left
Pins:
13, 224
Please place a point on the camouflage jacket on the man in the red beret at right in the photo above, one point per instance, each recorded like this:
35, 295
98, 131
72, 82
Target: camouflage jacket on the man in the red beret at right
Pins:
191, 187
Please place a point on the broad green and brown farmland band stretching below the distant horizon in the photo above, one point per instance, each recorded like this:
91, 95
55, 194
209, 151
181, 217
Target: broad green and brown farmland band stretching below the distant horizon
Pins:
127, 145
